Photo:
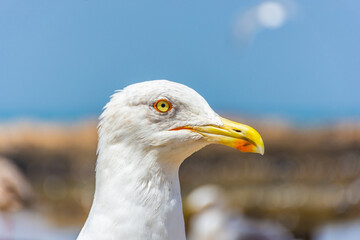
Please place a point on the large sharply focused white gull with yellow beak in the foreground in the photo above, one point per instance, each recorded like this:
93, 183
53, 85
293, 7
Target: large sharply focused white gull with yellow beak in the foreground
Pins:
145, 132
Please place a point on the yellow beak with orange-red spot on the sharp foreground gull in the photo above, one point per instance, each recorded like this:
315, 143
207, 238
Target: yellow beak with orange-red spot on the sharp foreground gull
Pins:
232, 134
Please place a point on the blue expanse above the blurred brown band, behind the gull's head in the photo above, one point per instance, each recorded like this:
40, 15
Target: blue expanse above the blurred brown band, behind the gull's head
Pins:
62, 59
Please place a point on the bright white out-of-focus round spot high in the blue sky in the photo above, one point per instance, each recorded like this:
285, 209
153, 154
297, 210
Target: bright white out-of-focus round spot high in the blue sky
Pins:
271, 14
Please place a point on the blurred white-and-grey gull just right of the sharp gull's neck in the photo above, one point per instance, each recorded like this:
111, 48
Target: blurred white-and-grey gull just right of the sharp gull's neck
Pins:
213, 219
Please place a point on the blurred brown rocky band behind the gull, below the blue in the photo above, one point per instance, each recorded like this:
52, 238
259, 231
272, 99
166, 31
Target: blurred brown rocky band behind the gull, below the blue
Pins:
307, 177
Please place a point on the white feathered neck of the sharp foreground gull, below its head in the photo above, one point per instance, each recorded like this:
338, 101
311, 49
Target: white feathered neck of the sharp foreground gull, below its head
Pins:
137, 196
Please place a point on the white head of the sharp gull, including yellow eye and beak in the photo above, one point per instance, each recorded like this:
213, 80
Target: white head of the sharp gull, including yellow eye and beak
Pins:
170, 119
